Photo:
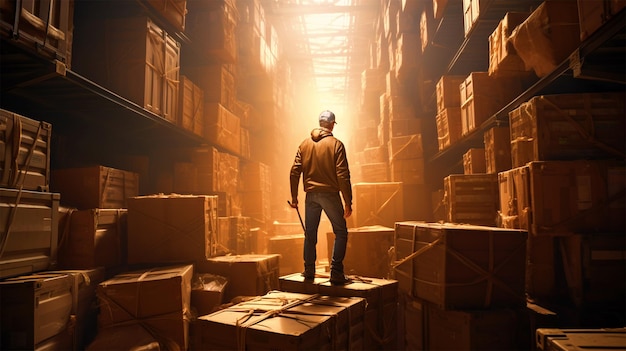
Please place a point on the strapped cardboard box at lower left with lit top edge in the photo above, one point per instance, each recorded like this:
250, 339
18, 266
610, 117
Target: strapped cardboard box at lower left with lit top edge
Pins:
159, 298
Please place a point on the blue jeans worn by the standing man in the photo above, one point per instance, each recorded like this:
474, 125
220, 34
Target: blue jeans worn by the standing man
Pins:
333, 207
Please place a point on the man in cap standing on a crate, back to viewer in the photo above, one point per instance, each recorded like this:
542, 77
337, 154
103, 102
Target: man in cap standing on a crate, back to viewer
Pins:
322, 161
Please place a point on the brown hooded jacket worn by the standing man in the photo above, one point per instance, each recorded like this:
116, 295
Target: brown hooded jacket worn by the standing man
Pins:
322, 161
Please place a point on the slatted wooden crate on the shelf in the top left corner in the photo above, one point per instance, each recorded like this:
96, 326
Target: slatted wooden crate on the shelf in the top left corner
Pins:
46, 30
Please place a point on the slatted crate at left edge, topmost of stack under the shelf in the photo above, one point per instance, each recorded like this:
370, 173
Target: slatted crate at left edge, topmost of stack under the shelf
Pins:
25, 160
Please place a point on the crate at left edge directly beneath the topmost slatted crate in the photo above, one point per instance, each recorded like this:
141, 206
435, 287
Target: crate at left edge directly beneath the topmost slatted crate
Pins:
32, 220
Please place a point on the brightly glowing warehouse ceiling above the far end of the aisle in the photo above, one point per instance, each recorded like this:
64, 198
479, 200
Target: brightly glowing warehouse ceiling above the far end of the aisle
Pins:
326, 43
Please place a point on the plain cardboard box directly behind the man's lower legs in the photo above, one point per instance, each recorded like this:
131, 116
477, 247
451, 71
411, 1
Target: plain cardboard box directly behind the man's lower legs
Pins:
367, 252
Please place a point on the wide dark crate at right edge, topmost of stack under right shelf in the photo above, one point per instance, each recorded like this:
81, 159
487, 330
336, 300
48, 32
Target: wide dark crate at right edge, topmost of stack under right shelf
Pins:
568, 126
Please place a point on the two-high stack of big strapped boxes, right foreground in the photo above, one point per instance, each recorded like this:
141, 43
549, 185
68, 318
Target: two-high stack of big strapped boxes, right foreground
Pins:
460, 281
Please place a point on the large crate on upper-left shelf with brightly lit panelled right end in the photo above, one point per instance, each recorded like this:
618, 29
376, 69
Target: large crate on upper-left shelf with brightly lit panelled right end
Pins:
134, 58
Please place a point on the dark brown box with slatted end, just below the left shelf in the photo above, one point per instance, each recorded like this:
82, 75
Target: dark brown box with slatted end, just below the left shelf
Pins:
94, 186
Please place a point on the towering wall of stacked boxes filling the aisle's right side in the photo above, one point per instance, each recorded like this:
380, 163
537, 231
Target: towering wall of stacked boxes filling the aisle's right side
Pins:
508, 154
